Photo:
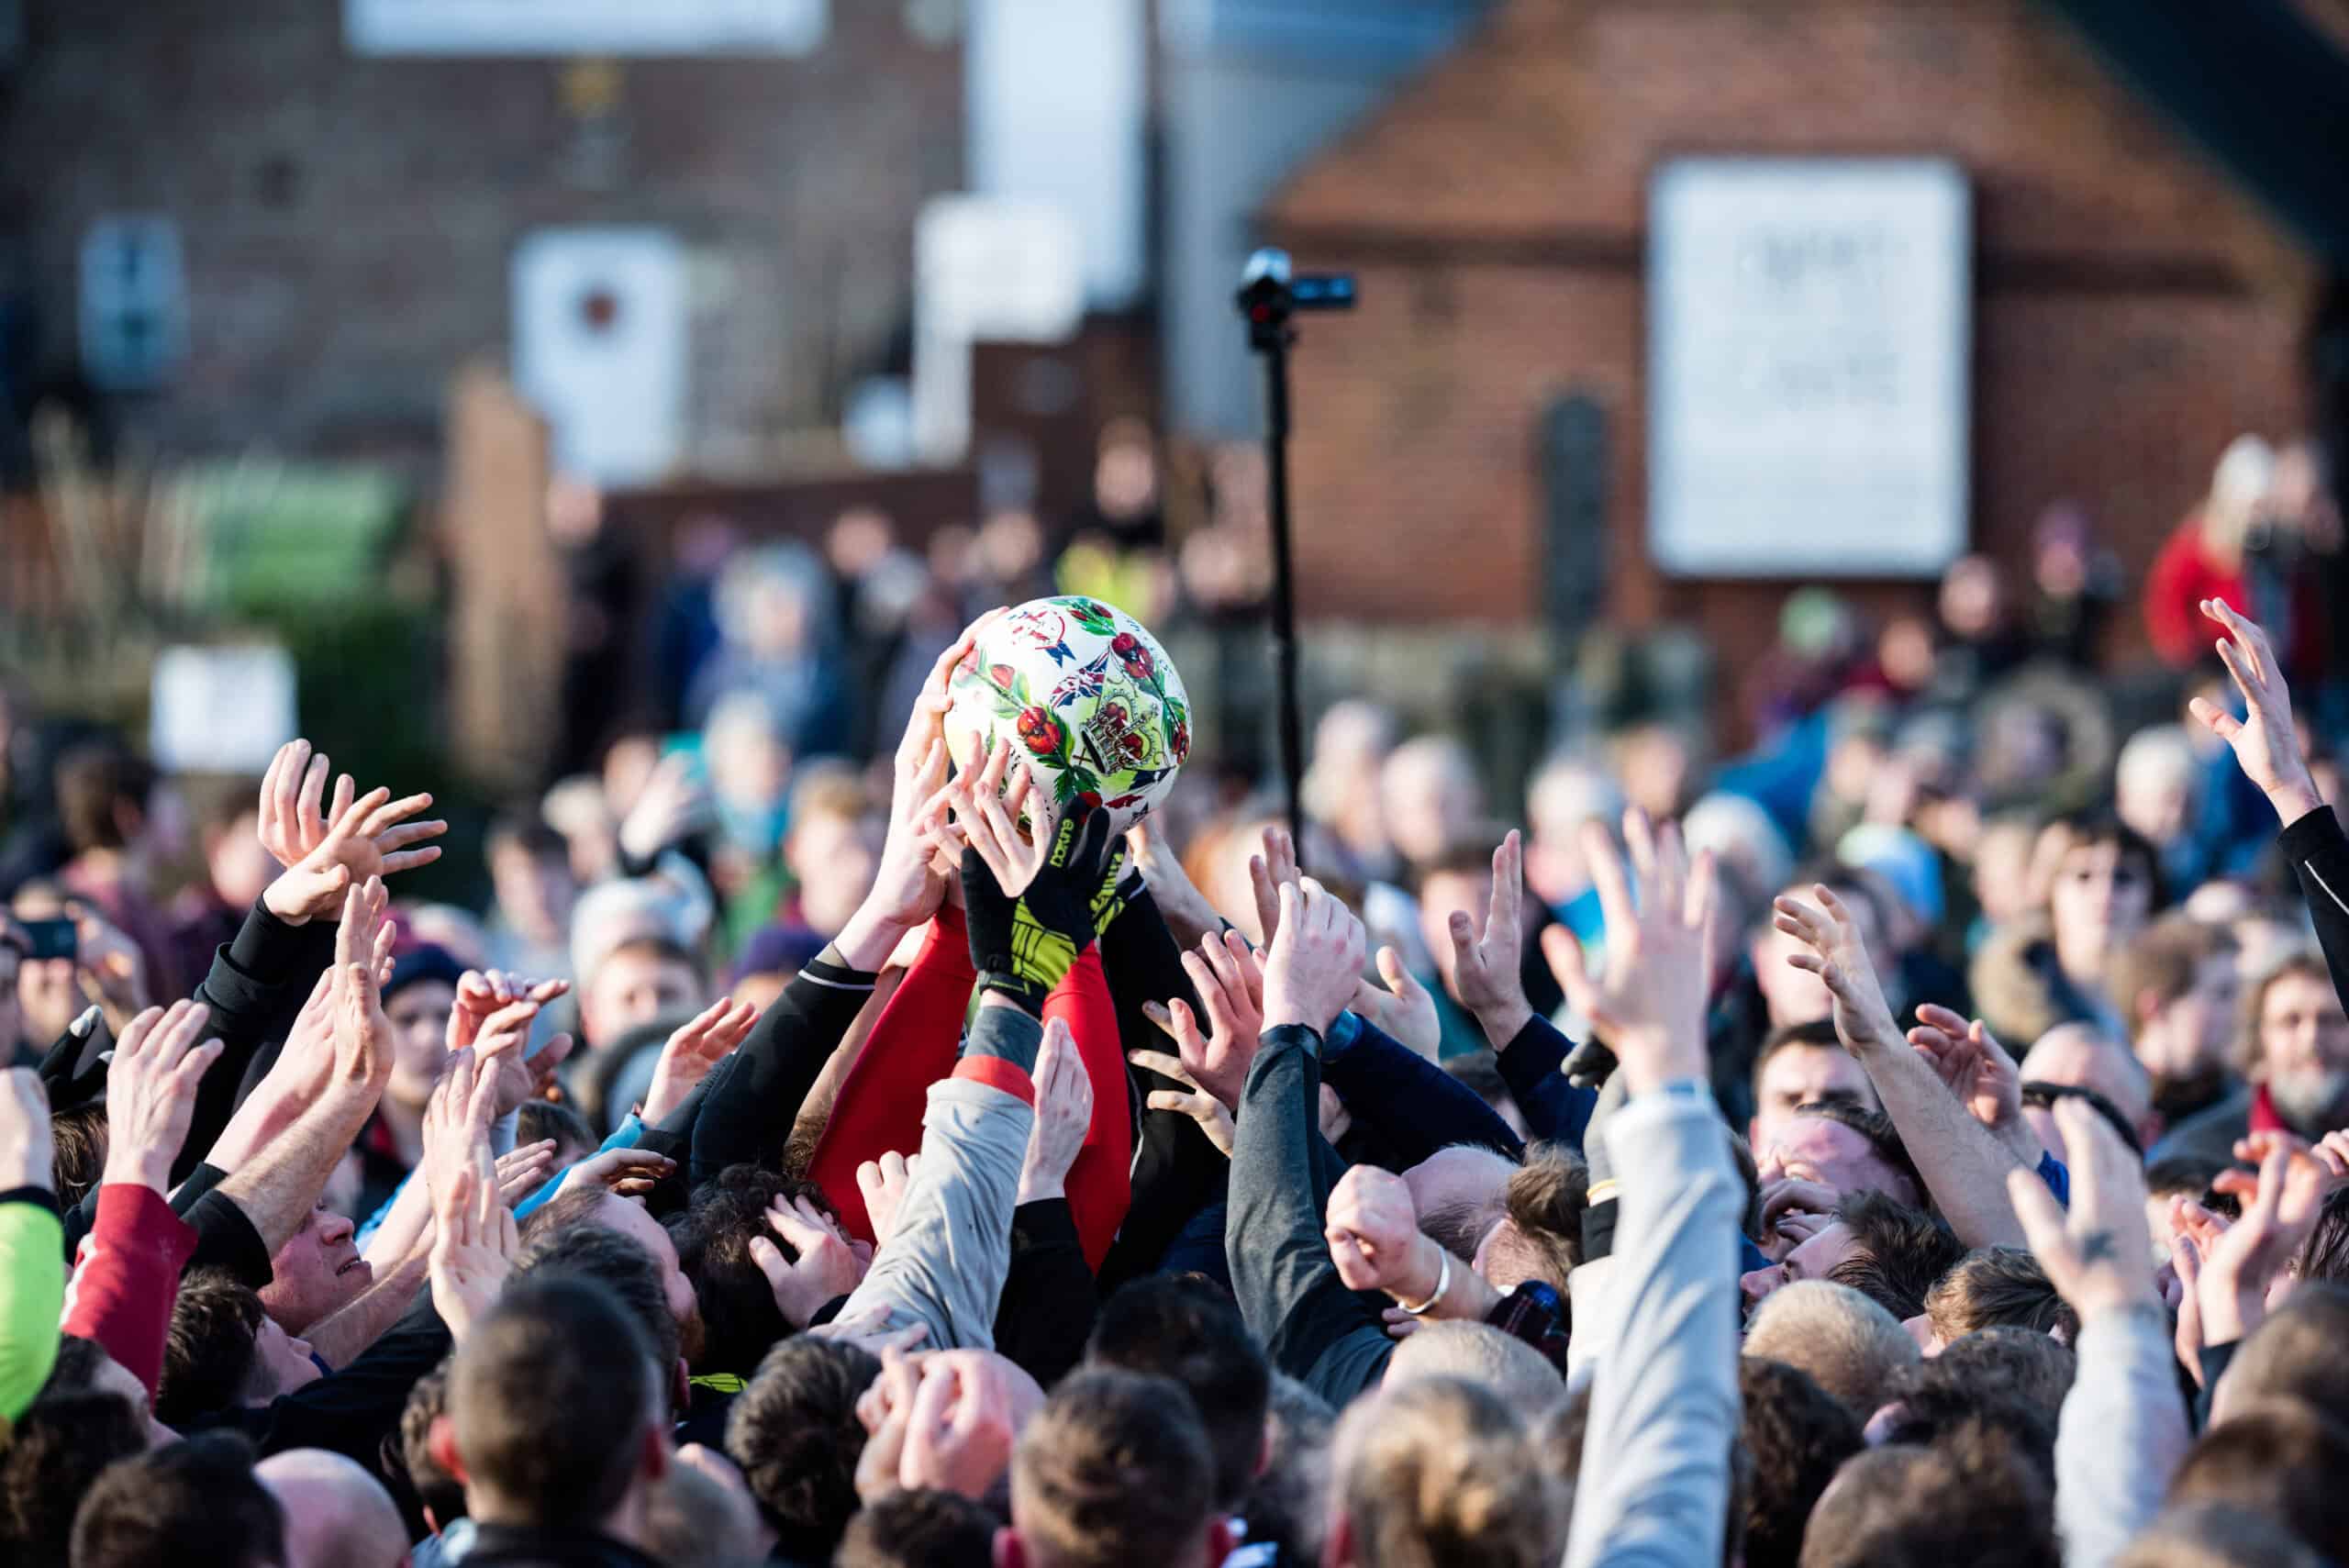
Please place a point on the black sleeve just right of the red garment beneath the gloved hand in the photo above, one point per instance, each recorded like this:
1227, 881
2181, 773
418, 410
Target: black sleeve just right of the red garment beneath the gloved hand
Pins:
1178, 1170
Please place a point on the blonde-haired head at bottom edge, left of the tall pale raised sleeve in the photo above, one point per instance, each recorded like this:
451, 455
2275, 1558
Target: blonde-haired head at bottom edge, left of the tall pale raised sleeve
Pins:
1441, 1473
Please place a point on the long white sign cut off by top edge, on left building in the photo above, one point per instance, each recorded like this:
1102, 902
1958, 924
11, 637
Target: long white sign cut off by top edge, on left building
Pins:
586, 27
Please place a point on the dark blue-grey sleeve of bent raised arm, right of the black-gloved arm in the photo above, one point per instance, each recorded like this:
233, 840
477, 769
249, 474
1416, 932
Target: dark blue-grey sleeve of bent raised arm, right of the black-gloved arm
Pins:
1281, 1271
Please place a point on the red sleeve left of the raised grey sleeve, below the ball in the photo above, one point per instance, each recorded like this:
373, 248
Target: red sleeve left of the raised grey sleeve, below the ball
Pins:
913, 1046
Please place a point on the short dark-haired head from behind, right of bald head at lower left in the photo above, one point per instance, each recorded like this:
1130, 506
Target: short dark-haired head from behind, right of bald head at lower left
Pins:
553, 1398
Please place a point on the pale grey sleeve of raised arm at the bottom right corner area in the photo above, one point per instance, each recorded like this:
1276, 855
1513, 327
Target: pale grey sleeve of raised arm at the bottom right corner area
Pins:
2120, 1438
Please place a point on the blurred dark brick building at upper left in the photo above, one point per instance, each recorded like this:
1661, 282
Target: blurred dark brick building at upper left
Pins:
346, 219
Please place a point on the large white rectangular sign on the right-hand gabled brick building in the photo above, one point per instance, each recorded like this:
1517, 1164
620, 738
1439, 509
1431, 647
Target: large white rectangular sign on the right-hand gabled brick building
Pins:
1810, 334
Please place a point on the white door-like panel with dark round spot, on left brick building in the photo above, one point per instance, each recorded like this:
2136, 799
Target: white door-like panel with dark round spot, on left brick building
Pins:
600, 349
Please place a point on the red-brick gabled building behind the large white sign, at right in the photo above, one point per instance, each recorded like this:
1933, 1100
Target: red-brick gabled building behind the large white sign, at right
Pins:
2134, 309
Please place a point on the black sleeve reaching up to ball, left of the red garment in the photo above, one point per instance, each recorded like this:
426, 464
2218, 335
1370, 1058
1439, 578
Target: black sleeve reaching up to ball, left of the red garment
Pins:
751, 1111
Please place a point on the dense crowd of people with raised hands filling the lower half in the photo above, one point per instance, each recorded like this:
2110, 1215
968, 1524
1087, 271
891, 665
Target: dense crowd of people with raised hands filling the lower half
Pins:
1866, 1151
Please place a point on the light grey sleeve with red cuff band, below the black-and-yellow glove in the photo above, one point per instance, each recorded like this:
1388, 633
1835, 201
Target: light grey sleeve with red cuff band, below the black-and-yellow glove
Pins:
953, 1243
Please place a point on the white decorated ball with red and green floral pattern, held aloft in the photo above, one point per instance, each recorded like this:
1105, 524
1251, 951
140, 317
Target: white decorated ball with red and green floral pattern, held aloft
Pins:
1089, 701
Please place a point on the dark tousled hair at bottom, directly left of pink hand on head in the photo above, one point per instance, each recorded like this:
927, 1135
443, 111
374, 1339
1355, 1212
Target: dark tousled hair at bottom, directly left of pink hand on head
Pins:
797, 1438
